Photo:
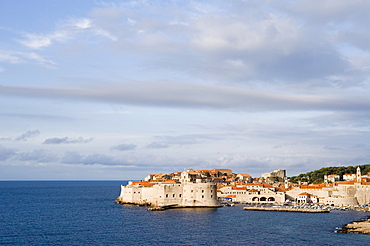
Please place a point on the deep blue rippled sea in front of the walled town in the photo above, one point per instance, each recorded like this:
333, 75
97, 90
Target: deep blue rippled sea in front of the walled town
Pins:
84, 213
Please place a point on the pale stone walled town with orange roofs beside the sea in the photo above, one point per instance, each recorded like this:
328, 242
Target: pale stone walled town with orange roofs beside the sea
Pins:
210, 188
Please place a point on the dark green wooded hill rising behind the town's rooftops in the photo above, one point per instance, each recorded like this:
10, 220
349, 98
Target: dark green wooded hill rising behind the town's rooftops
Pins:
316, 177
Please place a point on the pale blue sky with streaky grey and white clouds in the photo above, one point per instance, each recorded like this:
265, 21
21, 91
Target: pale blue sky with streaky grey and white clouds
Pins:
116, 90
